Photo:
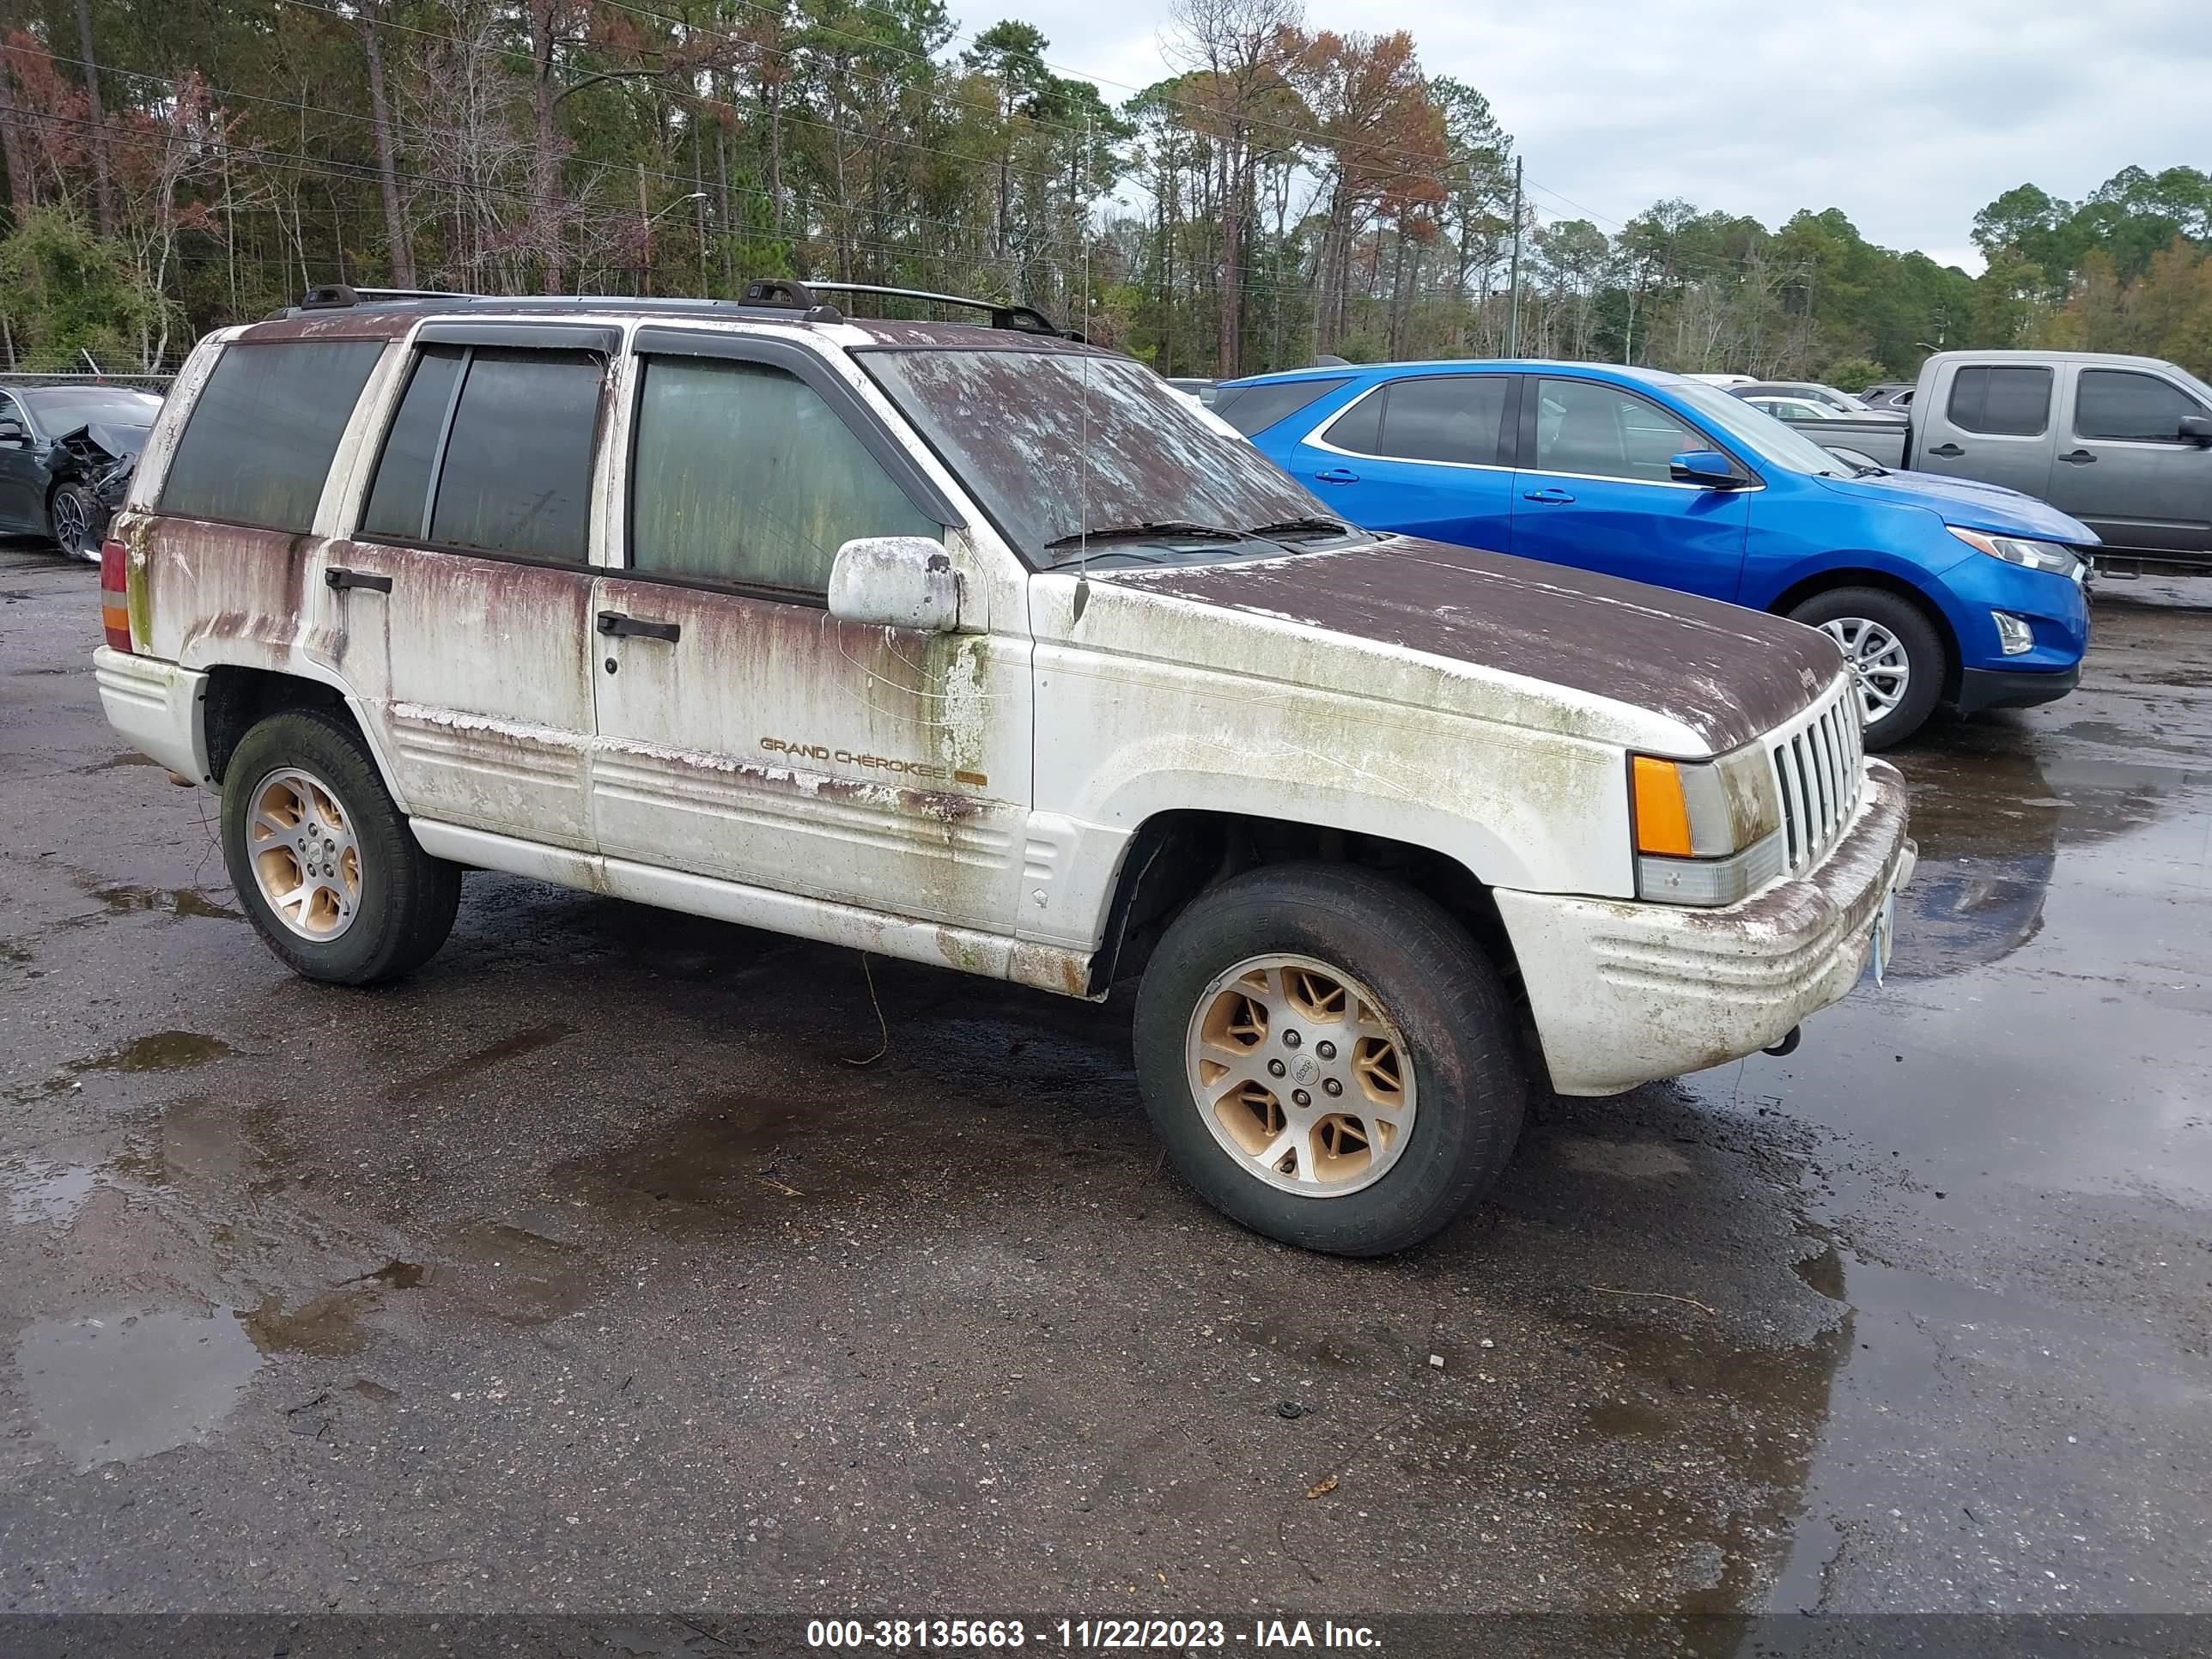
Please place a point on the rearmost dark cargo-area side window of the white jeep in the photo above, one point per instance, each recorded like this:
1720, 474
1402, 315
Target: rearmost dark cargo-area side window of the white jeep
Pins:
264, 430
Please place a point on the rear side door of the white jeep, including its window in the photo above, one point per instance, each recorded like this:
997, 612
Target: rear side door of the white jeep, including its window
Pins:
463, 601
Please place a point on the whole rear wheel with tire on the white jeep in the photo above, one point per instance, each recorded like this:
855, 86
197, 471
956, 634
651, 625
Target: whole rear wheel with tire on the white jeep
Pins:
322, 857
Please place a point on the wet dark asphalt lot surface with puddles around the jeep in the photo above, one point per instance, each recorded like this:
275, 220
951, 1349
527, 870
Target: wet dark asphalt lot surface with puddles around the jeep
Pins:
620, 1262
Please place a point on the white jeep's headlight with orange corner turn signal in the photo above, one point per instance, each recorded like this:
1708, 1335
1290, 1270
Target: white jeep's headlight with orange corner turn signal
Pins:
1709, 833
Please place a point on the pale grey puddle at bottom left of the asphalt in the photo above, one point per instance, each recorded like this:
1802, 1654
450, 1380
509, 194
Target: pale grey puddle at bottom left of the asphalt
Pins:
136, 1384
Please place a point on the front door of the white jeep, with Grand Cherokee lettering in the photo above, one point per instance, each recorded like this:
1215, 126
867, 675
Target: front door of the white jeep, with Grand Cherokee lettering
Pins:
749, 735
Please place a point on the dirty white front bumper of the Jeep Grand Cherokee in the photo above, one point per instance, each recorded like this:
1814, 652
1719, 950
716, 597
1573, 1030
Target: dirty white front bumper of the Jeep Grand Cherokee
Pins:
1627, 992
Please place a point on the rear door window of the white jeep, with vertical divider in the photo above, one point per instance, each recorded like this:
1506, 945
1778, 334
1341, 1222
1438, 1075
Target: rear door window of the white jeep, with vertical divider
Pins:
492, 455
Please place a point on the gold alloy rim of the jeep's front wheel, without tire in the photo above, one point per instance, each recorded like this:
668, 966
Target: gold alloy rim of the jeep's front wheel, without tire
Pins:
1302, 1076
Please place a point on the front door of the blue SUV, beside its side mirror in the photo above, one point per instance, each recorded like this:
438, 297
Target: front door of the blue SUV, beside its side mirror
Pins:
1596, 492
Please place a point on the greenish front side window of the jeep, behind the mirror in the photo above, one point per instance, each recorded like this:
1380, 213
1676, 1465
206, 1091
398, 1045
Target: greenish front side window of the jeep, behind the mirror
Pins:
744, 474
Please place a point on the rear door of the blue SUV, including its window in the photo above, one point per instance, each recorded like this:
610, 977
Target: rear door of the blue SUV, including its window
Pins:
1421, 457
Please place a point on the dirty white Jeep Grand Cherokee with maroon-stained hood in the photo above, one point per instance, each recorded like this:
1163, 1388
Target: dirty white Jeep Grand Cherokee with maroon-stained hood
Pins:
977, 647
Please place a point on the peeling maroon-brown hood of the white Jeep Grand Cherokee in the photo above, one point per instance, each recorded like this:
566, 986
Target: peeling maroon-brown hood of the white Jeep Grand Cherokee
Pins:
1720, 671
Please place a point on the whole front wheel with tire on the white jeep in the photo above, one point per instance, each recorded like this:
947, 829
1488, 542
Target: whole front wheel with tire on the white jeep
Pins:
1328, 1058
